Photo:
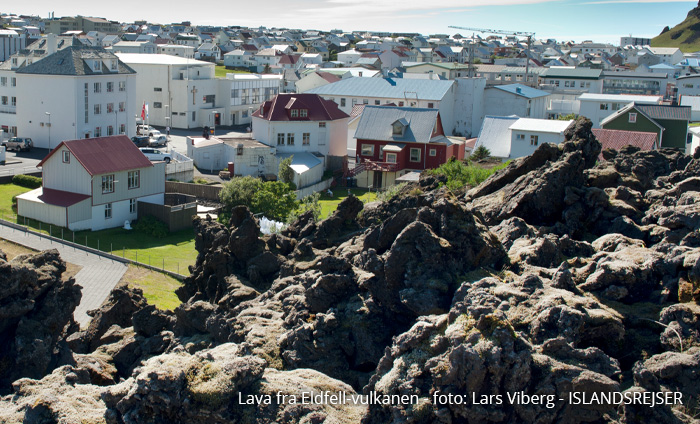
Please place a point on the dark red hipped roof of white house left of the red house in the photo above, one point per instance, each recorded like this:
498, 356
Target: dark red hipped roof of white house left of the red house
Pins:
318, 108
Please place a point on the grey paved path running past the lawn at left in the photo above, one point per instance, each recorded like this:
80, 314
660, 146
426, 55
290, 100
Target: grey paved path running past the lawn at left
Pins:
98, 276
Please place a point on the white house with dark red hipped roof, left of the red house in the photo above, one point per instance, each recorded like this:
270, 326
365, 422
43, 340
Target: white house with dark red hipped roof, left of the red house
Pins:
305, 126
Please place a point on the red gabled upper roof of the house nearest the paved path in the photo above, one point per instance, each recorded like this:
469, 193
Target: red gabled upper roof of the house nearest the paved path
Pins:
104, 155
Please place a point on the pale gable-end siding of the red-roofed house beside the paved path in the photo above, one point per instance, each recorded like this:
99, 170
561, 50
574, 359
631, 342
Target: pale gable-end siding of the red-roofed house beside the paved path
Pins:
65, 176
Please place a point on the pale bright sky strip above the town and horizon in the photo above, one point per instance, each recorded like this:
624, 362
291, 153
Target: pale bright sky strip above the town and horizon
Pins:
595, 20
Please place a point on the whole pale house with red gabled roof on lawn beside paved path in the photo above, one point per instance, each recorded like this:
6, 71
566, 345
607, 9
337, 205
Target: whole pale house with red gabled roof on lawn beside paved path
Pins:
93, 184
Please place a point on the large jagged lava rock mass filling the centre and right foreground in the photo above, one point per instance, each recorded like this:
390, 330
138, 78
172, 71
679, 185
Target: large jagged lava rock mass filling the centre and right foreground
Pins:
557, 275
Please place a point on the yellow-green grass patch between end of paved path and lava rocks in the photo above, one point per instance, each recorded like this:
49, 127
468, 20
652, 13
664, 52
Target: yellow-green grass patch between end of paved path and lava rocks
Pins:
158, 288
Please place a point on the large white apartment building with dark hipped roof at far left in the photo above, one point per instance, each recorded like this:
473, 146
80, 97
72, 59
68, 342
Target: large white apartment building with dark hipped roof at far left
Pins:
73, 92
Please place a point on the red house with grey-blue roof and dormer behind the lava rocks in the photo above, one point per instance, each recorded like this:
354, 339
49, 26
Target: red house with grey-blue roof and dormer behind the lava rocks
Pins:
393, 141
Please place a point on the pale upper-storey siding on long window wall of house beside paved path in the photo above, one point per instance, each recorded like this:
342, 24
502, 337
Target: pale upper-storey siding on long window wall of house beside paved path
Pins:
152, 181
